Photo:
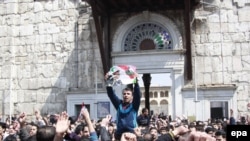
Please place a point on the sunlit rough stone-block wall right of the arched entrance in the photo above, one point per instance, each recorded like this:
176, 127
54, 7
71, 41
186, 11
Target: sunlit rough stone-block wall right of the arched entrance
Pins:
220, 41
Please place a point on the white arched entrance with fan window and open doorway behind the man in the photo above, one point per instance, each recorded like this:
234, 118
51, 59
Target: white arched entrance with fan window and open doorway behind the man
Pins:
153, 44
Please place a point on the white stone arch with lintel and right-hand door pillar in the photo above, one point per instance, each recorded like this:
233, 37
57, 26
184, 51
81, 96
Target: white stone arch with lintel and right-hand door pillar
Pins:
152, 60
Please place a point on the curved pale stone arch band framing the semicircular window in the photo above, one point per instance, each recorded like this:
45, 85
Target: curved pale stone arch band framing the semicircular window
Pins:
159, 21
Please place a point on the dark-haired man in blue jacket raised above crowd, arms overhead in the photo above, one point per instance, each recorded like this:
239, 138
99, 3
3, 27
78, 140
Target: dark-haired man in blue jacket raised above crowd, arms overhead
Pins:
127, 108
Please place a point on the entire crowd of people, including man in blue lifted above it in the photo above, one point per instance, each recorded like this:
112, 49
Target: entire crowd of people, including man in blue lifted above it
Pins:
128, 125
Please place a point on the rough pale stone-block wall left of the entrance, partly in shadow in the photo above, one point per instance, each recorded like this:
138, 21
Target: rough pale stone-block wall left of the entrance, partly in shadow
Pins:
40, 59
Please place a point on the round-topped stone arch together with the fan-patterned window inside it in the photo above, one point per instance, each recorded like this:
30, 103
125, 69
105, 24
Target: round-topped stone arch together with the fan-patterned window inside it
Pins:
156, 27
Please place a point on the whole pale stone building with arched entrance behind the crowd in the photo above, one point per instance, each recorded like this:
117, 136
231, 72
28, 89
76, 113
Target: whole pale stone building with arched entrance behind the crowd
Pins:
54, 54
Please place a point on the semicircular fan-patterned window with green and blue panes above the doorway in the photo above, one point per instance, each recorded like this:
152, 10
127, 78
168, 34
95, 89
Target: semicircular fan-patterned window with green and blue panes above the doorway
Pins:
148, 36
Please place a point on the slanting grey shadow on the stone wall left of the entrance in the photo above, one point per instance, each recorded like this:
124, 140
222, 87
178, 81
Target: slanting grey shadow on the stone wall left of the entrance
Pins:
78, 58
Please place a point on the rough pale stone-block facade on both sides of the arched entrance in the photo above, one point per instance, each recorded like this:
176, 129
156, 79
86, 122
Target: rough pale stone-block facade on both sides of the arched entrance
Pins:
49, 49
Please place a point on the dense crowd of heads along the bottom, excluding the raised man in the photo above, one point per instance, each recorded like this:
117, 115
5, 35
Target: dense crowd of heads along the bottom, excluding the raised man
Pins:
150, 128
